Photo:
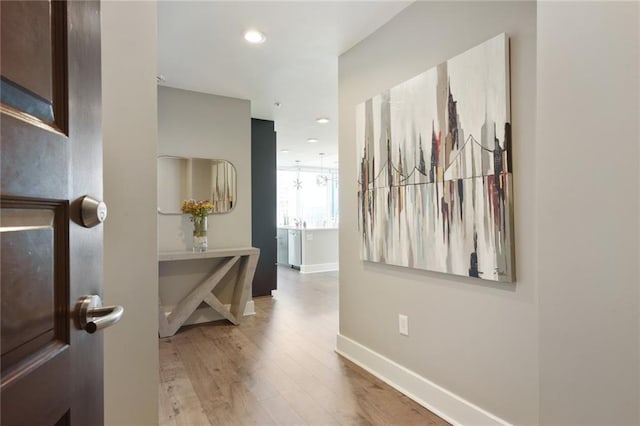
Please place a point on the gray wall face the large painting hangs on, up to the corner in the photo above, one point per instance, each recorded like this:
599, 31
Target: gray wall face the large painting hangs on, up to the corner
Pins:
474, 338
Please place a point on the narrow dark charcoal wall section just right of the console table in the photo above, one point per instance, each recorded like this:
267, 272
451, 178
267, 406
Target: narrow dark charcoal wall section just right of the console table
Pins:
263, 204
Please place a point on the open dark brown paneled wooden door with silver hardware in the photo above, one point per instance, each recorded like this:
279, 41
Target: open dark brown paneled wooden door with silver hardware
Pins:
51, 372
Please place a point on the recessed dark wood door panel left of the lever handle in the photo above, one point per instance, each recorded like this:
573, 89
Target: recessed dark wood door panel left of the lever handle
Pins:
35, 281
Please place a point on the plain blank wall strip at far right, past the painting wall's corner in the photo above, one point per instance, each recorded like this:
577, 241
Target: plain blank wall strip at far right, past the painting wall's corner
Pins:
588, 216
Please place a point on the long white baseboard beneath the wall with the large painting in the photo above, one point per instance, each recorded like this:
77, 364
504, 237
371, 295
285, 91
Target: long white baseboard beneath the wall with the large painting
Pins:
446, 404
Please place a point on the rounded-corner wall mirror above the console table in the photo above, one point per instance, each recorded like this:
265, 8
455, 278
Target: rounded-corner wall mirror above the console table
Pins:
195, 178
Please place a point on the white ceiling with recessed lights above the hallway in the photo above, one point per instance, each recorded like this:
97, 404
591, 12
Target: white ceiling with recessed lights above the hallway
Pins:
201, 48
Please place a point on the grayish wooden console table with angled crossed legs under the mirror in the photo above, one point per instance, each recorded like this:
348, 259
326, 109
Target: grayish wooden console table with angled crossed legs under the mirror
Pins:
247, 258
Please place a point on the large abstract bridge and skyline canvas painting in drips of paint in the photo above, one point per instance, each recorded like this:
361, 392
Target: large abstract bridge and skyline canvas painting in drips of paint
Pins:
434, 168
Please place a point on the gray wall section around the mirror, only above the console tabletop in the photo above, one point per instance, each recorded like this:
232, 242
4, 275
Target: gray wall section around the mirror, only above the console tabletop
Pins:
192, 124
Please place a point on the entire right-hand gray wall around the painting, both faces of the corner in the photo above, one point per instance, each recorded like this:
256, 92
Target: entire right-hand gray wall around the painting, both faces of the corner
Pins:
553, 348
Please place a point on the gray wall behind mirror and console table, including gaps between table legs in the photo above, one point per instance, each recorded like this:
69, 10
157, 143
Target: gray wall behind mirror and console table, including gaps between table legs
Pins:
201, 125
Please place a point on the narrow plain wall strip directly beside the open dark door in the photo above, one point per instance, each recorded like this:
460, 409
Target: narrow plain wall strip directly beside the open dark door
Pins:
130, 245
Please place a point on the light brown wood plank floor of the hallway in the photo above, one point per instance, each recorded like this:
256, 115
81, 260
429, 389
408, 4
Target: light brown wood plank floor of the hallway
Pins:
277, 367
